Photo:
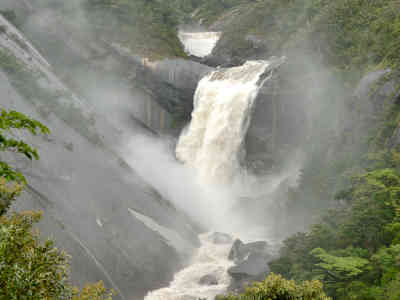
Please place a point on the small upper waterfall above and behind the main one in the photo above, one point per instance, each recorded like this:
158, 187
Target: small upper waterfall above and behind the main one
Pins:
199, 44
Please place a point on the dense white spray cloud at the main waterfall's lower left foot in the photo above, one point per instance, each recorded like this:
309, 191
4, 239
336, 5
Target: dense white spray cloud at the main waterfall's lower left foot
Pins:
153, 158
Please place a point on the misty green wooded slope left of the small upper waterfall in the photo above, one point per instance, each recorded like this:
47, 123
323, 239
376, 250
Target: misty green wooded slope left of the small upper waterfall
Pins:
147, 28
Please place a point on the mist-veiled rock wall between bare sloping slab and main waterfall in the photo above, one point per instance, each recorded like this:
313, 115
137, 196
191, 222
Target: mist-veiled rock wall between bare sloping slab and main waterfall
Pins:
156, 93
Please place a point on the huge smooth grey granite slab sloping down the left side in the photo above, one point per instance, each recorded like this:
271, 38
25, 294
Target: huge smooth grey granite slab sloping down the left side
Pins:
101, 212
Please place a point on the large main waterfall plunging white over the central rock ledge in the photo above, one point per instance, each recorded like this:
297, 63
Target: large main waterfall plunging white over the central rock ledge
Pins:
213, 142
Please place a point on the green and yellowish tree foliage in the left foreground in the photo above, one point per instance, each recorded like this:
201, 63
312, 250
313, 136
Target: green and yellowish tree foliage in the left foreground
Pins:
30, 269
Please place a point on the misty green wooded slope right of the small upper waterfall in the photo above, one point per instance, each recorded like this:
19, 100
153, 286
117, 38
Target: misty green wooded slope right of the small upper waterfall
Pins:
349, 35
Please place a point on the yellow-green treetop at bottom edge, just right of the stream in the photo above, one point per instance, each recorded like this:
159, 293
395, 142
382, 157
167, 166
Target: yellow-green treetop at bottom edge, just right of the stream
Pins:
276, 287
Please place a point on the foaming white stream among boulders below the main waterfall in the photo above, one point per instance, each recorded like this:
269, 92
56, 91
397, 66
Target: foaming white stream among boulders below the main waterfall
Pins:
210, 259
